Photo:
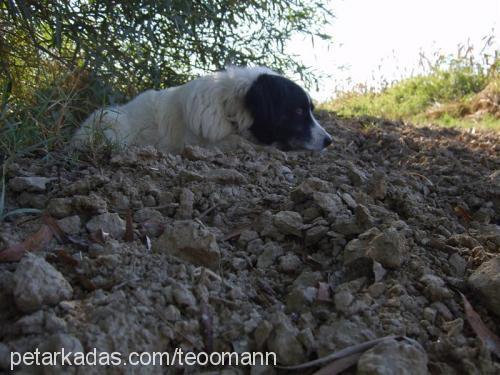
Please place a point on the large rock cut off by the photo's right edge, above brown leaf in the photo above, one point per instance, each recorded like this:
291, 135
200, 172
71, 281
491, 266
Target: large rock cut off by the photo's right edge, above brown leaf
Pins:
485, 281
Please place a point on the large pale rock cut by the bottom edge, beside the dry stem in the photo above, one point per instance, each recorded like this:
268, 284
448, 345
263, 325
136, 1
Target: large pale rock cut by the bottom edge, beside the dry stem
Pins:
394, 357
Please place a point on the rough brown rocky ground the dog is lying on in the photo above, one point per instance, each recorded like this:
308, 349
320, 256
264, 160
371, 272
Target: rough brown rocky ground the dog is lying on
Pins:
255, 249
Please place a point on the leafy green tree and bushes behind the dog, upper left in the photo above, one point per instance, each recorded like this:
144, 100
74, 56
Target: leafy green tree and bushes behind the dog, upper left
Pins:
61, 59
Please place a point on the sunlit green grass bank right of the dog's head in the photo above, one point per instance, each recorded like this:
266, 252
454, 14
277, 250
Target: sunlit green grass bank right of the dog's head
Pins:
456, 92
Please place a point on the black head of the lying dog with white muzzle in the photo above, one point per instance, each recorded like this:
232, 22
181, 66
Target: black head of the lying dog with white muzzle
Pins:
282, 114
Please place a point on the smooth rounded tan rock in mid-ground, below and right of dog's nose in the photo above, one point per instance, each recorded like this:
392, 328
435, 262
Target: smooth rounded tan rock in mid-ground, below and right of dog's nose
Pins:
388, 248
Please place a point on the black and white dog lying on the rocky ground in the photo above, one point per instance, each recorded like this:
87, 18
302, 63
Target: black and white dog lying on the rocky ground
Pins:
255, 103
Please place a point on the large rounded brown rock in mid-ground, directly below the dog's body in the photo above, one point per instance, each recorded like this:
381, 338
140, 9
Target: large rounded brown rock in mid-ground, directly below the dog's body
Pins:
190, 241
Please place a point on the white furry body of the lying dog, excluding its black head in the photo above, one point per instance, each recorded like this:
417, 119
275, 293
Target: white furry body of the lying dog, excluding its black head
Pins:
203, 111
